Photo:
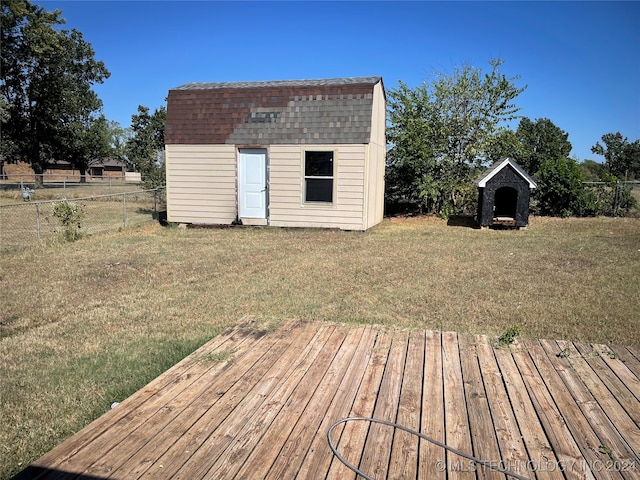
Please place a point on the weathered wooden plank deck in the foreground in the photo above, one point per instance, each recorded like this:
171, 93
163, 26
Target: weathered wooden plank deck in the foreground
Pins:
256, 405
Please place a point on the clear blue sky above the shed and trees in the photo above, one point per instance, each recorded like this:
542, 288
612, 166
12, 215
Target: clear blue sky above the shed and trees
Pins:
579, 60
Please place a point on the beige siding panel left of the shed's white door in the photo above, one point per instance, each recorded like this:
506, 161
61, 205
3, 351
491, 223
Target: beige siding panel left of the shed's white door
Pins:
201, 183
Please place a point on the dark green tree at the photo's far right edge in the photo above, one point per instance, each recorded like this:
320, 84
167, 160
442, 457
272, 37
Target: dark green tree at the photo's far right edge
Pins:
622, 158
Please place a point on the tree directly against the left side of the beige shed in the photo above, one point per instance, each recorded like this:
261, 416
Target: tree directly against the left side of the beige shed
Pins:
144, 150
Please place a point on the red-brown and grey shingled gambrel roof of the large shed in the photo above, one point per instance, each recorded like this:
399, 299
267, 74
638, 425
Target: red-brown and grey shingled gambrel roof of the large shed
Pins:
326, 111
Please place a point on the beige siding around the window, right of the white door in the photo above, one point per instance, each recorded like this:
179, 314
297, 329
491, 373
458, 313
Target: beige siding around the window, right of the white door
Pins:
286, 184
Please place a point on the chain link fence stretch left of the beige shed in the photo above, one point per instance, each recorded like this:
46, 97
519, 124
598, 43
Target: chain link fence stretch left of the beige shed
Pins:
33, 222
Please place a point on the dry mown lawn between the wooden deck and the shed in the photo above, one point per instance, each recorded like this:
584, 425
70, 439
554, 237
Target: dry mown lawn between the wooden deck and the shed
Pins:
86, 324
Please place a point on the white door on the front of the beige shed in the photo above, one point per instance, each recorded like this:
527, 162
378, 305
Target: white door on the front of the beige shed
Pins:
252, 184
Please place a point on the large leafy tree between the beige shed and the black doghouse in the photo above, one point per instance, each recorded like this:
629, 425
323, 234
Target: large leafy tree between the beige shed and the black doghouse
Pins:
440, 133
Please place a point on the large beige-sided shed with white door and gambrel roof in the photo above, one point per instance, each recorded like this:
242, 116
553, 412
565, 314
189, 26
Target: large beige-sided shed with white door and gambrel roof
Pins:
293, 153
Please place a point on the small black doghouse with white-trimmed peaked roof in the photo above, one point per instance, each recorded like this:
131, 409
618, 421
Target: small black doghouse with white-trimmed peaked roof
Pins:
504, 192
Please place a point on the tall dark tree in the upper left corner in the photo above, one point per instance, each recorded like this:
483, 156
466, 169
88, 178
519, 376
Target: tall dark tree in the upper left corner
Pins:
47, 75
